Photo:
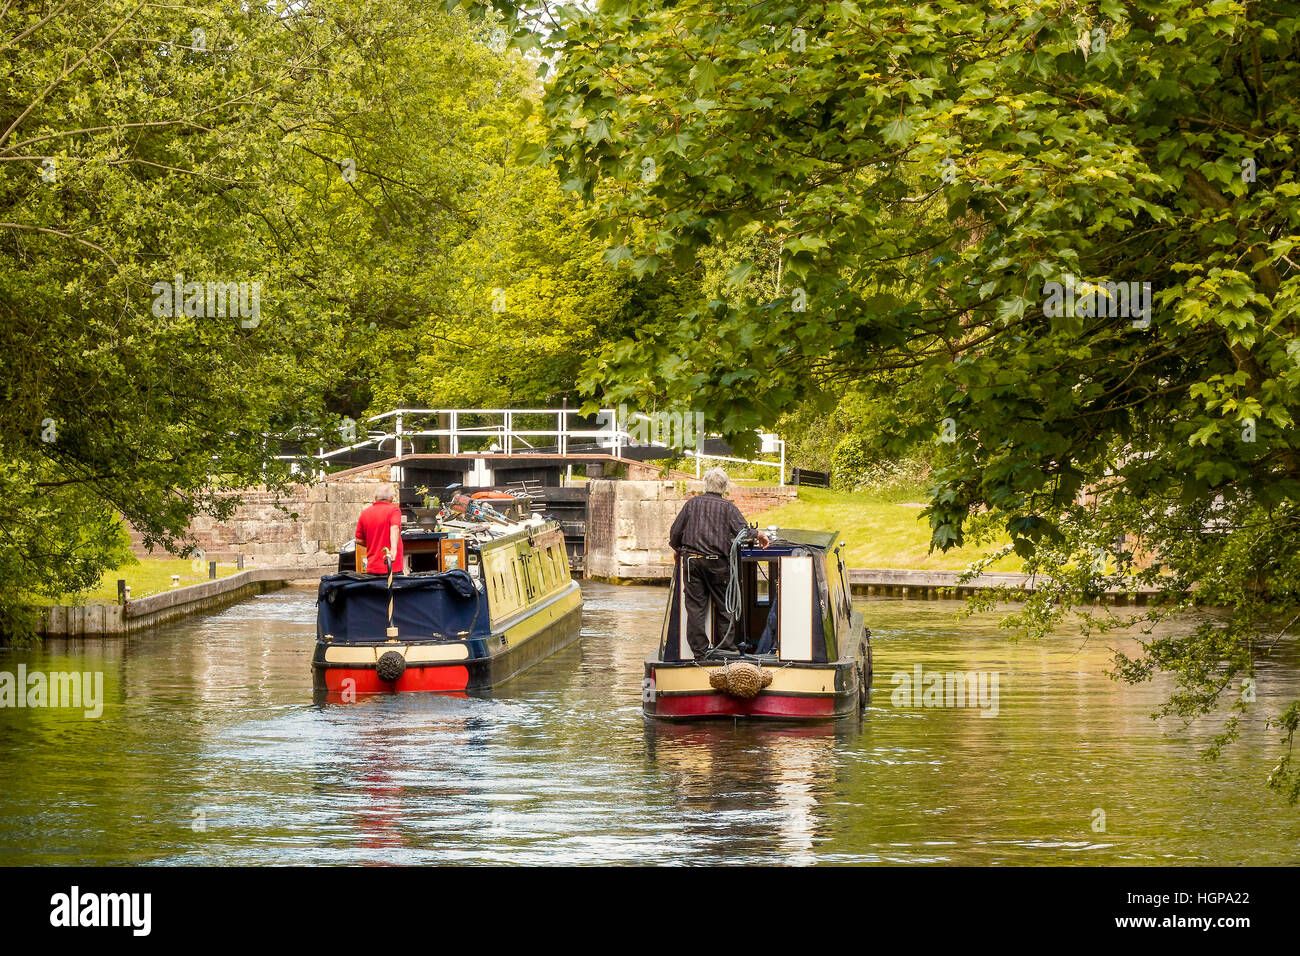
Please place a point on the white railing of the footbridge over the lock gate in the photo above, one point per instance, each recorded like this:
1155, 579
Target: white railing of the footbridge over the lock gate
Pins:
612, 434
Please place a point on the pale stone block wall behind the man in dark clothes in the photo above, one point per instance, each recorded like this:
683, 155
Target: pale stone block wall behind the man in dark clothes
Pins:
629, 524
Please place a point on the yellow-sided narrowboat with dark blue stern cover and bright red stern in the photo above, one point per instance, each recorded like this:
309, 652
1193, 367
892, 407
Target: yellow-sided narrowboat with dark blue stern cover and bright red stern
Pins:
476, 604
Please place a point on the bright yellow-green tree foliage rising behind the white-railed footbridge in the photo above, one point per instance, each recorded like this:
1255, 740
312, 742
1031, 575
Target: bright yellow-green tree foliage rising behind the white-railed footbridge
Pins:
450, 275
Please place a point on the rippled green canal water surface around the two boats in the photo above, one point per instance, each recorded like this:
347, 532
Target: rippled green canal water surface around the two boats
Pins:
211, 750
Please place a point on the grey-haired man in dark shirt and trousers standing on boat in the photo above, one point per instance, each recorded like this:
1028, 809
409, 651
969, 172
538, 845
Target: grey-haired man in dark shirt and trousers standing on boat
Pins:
703, 537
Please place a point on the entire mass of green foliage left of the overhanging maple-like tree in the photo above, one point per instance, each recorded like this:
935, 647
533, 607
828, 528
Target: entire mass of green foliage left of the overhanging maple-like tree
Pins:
354, 159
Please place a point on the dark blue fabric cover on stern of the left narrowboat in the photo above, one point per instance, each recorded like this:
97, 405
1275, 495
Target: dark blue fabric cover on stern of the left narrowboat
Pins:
356, 607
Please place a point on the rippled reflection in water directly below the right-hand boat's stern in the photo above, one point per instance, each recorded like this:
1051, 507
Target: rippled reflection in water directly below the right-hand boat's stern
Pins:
753, 788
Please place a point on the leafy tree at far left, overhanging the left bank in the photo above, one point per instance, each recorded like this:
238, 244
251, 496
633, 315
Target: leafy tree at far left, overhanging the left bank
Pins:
135, 149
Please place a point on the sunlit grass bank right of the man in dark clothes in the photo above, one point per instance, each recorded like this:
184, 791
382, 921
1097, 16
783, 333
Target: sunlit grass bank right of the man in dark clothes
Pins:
881, 530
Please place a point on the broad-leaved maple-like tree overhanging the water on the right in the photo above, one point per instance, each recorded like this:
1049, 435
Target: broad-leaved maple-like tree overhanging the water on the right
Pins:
1076, 223
